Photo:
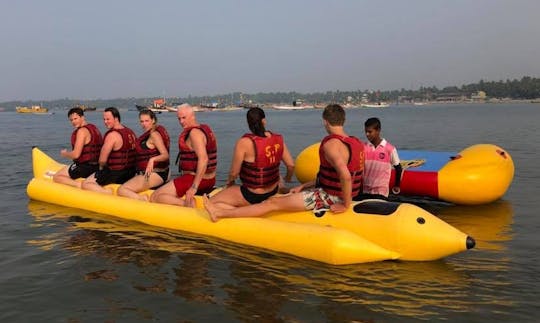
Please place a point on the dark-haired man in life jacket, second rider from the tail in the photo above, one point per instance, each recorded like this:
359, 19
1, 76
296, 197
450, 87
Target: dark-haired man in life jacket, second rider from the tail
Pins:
117, 156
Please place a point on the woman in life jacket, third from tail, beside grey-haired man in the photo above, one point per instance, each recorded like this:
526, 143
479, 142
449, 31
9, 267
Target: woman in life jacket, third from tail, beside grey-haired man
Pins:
152, 159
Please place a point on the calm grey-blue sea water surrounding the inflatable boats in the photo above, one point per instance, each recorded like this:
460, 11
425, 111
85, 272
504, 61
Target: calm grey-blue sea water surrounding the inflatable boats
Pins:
61, 264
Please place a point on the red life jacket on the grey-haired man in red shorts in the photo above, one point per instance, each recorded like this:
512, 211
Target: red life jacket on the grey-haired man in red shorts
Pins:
188, 158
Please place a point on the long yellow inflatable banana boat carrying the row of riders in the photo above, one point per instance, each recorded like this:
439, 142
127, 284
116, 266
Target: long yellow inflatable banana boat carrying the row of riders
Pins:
369, 231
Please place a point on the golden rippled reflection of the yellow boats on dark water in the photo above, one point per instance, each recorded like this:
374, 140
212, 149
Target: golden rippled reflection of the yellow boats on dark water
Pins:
261, 285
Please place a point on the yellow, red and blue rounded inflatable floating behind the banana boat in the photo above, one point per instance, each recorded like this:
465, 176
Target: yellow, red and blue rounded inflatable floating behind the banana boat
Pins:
479, 174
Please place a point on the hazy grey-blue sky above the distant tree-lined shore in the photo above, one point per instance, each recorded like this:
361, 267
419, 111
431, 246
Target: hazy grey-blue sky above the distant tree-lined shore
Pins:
111, 49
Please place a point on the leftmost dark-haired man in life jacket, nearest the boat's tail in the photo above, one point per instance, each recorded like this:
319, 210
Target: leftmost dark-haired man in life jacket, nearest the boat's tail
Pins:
86, 144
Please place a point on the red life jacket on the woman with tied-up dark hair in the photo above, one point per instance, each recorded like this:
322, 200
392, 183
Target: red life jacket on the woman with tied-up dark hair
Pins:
264, 171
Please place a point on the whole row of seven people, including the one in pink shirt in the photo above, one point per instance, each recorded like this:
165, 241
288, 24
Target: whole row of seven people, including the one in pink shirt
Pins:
142, 163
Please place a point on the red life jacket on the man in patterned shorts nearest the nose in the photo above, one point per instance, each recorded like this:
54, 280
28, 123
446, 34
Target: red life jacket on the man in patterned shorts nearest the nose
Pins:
328, 178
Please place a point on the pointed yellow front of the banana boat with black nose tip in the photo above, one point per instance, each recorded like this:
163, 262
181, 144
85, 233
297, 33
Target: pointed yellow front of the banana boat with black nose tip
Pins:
411, 232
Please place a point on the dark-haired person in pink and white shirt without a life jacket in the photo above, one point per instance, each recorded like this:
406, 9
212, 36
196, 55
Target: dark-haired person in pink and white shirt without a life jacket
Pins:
381, 156
